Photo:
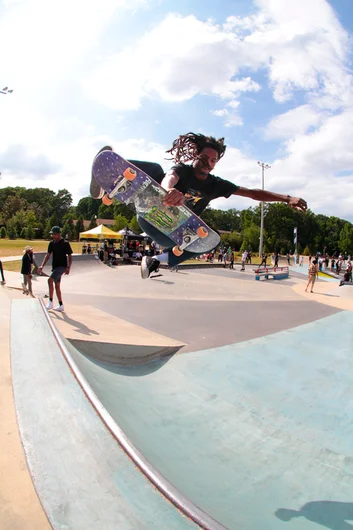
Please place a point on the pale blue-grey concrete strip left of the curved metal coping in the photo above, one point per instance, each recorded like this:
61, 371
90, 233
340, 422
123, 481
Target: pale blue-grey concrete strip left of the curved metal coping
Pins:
84, 479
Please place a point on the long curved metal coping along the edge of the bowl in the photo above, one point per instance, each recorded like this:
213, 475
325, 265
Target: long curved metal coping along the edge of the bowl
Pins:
182, 503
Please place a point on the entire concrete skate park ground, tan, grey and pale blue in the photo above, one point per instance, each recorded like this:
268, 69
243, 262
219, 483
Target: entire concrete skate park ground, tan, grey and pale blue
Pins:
201, 398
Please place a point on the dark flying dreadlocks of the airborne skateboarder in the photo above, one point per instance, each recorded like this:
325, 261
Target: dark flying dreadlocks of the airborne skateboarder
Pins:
189, 146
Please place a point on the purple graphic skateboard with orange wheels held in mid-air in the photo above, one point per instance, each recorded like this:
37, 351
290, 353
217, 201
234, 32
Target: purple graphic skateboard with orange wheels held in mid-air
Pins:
123, 181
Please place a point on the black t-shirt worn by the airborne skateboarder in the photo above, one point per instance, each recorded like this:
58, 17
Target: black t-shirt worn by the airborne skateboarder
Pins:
199, 193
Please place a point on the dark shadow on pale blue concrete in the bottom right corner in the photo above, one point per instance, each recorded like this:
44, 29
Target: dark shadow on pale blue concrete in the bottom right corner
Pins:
330, 514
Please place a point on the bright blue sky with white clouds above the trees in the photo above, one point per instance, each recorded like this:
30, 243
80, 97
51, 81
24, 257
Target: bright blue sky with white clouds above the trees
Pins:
273, 77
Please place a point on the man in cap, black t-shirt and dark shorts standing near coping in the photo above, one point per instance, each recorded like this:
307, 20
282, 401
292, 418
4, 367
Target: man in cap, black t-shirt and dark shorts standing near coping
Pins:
62, 260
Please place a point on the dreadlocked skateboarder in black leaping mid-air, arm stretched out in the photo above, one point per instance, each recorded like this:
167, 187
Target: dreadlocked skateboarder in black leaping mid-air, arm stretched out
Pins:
190, 182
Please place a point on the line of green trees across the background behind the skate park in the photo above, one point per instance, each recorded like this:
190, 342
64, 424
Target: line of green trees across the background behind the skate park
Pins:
30, 213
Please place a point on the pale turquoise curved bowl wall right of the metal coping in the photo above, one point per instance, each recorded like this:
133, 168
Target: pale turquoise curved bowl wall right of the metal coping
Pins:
258, 434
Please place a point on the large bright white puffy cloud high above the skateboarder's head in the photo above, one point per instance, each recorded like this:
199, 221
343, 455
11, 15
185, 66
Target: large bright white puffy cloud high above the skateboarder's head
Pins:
178, 59
